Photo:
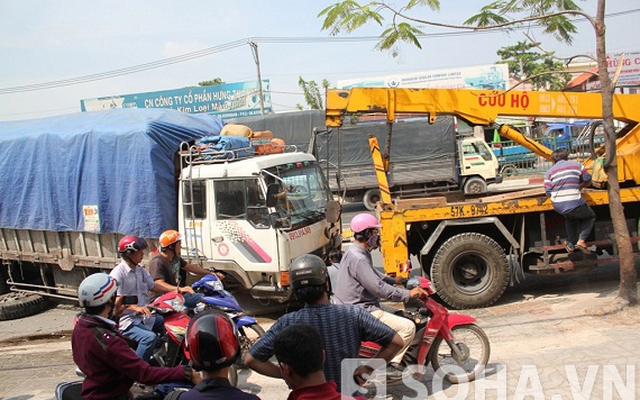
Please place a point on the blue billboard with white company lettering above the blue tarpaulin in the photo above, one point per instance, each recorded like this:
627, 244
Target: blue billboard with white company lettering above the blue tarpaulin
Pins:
229, 100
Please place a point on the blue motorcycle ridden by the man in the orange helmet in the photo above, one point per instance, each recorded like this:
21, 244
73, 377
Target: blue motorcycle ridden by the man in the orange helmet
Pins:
215, 296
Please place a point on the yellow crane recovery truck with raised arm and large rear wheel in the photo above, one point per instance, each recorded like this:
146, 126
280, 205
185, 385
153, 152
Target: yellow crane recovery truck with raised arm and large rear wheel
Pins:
471, 248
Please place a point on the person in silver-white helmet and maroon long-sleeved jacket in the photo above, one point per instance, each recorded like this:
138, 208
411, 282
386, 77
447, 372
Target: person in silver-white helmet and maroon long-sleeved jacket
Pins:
103, 355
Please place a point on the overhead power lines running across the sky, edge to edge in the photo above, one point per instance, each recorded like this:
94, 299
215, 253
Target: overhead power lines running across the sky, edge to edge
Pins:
232, 45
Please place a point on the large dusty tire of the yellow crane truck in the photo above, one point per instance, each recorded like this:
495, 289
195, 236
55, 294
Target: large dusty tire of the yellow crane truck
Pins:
470, 270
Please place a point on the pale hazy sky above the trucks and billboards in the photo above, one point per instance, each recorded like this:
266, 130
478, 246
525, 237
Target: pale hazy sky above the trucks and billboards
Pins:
47, 41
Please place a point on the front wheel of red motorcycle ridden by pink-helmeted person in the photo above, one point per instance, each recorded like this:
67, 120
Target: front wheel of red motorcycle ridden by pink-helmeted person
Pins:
473, 343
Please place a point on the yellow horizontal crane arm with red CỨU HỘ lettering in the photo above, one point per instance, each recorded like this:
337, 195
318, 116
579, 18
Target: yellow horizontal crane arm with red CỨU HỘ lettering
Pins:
480, 107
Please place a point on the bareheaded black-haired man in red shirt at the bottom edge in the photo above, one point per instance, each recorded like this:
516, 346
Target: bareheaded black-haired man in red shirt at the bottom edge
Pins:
300, 354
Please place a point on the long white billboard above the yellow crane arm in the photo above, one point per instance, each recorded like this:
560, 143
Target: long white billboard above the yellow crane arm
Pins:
490, 77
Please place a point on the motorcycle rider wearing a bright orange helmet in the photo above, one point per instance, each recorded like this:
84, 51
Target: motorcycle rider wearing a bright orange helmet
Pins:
169, 269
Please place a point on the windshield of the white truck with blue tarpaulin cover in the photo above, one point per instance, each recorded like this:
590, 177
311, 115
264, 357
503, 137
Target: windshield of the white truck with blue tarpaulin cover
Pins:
307, 192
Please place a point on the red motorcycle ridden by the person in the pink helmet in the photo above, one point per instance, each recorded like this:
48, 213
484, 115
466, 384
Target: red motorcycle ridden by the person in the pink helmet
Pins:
453, 343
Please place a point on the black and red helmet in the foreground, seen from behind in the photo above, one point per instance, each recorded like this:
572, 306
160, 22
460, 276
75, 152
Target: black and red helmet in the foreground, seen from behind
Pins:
212, 341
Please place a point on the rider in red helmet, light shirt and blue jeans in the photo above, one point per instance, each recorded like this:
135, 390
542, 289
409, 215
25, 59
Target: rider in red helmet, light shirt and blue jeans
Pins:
136, 321
